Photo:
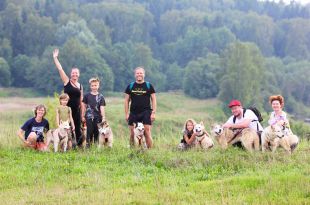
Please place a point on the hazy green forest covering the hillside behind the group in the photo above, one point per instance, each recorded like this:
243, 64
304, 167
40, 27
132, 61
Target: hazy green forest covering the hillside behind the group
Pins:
244, 49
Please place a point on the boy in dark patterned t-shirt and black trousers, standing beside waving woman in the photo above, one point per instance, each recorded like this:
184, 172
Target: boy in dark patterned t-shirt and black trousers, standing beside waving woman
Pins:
93, 111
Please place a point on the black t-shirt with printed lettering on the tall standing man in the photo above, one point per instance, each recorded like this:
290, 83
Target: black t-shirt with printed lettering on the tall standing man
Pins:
140, 96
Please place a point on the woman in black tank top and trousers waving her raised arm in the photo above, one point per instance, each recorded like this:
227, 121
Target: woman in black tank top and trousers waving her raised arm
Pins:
75, 91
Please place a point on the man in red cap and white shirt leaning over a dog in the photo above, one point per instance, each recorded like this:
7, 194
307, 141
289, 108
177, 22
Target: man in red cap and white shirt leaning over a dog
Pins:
242, 118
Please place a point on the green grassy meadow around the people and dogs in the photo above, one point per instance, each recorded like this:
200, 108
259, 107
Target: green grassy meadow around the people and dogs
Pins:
162, 175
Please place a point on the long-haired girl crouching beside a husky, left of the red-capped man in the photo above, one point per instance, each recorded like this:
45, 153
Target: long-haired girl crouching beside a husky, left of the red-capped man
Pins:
189, 136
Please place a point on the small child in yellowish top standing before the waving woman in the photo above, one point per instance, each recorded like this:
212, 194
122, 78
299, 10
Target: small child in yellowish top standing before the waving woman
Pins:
64, 113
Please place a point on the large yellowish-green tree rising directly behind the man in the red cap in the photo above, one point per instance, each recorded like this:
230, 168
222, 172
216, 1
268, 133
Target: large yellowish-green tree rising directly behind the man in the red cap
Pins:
243, 74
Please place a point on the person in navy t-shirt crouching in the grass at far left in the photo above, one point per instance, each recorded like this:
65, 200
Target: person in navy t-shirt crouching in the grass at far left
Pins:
31, 133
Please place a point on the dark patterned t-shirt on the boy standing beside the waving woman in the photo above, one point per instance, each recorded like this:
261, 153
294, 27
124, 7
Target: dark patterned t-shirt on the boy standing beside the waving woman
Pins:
93, 103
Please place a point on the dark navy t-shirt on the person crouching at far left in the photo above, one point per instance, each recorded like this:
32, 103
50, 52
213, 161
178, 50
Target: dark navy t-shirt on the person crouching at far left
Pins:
38, 127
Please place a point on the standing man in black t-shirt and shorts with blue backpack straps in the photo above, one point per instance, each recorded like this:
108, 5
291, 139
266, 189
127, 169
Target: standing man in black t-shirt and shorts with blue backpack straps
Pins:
140, 94
